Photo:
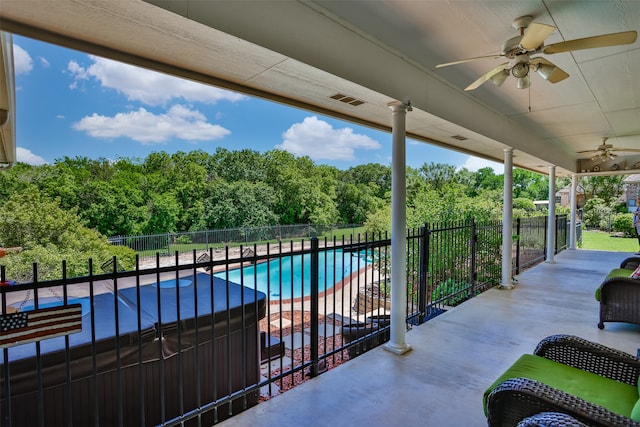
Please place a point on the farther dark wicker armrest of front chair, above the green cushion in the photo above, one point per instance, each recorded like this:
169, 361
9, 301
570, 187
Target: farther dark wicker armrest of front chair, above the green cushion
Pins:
590, 356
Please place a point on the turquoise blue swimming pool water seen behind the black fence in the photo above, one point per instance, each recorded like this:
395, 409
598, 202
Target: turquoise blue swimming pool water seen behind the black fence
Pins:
290, 277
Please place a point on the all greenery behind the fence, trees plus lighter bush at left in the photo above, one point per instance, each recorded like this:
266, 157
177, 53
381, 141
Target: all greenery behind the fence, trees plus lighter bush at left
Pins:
65, 210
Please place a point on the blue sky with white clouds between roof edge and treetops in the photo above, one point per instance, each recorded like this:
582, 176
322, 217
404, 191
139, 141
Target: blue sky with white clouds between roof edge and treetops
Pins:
73, 104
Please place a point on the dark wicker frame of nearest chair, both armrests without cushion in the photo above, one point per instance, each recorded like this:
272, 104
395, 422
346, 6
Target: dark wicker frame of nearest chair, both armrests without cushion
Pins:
515, 399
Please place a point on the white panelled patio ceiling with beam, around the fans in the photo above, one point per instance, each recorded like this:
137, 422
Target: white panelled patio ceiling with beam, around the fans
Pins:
304, 53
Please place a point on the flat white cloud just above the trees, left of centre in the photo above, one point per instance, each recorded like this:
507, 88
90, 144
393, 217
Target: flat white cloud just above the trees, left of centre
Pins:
143, 126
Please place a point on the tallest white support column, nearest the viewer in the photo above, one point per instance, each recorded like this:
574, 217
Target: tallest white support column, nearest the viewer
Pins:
397, 343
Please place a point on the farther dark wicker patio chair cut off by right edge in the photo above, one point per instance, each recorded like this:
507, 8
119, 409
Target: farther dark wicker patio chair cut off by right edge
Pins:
619, 296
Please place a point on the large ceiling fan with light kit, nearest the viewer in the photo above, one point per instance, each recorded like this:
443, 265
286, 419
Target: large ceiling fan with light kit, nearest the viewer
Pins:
520, 49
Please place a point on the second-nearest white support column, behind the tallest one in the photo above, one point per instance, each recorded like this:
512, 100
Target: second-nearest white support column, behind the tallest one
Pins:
507, 220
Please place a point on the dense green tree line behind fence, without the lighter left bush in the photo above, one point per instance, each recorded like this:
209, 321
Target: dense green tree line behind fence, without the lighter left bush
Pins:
227, 189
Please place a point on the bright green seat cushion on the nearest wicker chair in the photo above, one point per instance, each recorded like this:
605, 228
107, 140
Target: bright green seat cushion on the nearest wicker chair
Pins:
615, 396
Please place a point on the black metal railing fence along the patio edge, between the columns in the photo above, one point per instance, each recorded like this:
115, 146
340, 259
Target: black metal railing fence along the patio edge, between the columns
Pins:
198, 342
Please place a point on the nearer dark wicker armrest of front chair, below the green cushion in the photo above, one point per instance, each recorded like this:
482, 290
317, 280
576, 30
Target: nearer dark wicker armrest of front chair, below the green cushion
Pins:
518, 398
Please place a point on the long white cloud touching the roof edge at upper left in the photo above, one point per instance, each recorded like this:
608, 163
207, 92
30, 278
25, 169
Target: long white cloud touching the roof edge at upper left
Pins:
148, 87
